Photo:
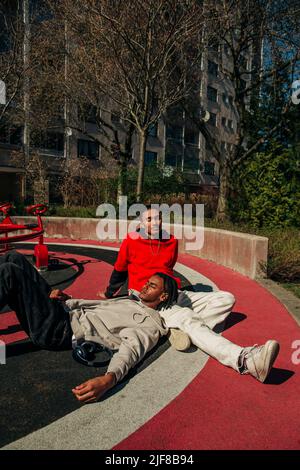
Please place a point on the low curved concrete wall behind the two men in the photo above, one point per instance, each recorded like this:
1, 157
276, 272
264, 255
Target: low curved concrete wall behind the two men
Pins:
241, 252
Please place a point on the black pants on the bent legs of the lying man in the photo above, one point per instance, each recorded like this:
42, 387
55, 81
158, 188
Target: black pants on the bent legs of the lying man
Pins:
25, 291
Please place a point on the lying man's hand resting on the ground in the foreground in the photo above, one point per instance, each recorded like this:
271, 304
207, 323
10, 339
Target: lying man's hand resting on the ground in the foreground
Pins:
93, 389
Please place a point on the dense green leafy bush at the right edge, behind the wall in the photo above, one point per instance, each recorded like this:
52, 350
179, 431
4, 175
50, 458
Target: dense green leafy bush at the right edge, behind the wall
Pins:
267, 189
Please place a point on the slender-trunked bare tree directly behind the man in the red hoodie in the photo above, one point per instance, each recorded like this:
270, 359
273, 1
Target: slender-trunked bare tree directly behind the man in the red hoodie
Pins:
133, 58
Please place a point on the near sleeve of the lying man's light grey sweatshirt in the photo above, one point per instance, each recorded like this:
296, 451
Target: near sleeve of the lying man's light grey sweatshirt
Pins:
136, 342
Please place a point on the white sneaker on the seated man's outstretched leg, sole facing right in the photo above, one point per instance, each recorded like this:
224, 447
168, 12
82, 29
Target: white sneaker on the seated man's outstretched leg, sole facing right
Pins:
260, 359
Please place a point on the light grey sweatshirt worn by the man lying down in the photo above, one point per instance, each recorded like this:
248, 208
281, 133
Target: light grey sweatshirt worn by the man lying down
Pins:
121, 324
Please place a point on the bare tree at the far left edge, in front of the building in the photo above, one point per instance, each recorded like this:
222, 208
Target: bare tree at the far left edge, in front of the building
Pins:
19, 28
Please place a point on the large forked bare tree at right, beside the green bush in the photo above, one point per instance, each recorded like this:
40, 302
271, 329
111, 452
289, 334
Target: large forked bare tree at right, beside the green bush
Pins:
263, 31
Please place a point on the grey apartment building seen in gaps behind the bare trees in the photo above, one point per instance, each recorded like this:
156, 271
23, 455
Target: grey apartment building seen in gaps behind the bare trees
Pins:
174, 142
